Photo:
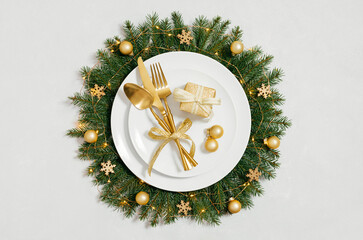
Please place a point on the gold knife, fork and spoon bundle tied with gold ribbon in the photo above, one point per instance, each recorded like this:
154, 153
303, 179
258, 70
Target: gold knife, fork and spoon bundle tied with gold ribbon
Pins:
152, 94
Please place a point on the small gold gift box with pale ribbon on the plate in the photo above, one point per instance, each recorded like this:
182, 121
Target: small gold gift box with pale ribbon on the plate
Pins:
196, 99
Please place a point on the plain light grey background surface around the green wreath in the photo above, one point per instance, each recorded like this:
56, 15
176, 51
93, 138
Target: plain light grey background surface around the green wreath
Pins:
318, 191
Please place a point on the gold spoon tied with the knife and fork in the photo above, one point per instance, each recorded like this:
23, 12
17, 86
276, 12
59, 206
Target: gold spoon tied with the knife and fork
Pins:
142, 99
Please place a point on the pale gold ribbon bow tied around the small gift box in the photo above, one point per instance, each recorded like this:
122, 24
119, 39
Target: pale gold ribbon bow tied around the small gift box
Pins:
181, 95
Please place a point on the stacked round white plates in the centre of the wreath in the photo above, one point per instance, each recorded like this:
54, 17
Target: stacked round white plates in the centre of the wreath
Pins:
130, 126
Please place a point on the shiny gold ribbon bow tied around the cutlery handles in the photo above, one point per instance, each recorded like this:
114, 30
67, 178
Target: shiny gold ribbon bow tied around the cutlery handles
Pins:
159, 134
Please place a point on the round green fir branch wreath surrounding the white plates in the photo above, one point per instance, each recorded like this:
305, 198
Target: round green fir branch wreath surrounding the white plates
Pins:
151, 38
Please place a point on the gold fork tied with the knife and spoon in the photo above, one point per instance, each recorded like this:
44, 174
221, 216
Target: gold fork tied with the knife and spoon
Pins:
163, 91
